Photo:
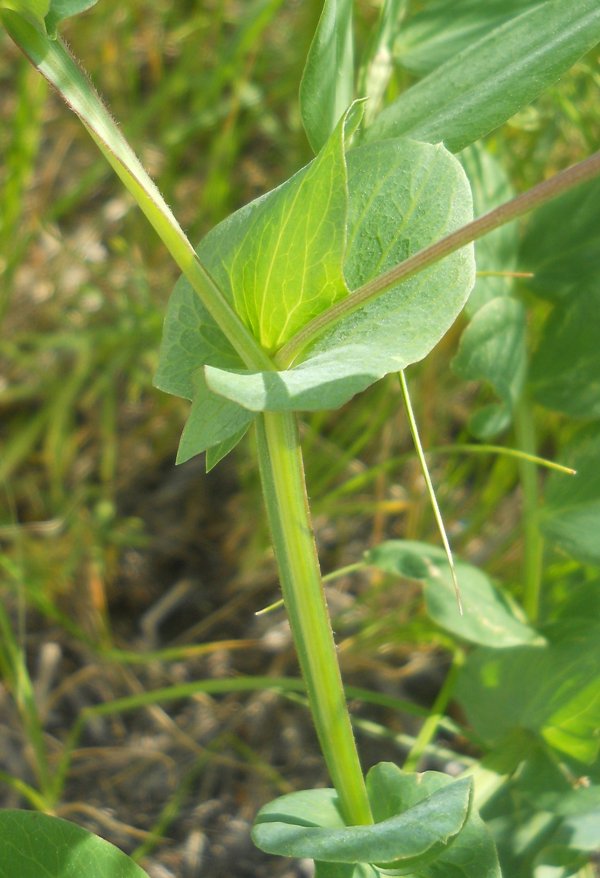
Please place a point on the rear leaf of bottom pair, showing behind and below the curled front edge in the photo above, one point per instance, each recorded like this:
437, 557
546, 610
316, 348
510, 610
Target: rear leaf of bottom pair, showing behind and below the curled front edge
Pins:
471, 854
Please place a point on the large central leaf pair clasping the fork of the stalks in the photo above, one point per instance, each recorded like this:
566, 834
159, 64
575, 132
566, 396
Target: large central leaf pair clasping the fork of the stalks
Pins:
293, 253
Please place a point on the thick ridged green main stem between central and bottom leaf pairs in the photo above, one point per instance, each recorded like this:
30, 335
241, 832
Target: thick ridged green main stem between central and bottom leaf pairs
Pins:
284, 489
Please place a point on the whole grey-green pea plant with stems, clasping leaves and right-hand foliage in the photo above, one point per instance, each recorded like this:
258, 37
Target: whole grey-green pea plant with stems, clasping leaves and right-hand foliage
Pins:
353, 269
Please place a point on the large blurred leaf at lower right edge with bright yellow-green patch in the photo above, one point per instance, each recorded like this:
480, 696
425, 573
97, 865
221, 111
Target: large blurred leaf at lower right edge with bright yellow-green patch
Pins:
550, 690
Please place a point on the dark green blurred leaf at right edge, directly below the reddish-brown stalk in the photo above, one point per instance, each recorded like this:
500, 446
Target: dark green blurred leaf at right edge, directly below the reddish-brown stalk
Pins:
564, 256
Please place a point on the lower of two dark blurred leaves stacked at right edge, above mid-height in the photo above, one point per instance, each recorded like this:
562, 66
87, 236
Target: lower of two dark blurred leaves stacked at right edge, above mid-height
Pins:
565, 368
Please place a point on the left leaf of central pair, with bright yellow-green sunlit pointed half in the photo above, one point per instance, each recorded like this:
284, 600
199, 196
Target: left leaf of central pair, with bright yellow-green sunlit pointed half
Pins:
261, 258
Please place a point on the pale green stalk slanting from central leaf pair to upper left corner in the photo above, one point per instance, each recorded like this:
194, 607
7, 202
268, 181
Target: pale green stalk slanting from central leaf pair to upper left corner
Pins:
55, 63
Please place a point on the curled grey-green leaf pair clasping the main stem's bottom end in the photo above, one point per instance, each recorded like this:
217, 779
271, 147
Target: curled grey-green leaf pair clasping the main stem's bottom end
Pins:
424, 827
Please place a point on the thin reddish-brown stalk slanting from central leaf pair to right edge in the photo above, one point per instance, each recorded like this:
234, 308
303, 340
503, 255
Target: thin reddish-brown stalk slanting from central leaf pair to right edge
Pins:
511, 210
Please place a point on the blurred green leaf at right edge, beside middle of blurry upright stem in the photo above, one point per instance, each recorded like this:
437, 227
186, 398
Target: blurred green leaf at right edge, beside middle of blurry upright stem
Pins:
571, 515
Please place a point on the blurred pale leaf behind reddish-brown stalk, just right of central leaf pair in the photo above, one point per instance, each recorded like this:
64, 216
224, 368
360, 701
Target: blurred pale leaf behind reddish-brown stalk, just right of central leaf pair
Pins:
496, 252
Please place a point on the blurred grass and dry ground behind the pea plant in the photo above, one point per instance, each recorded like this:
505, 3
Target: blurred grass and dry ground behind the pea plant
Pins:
122, 574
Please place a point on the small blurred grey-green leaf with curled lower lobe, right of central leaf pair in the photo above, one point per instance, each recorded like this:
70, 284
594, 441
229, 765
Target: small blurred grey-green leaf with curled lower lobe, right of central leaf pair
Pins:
493, 349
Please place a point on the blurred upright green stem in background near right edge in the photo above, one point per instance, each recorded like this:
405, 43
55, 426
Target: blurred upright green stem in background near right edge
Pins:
525, 433
